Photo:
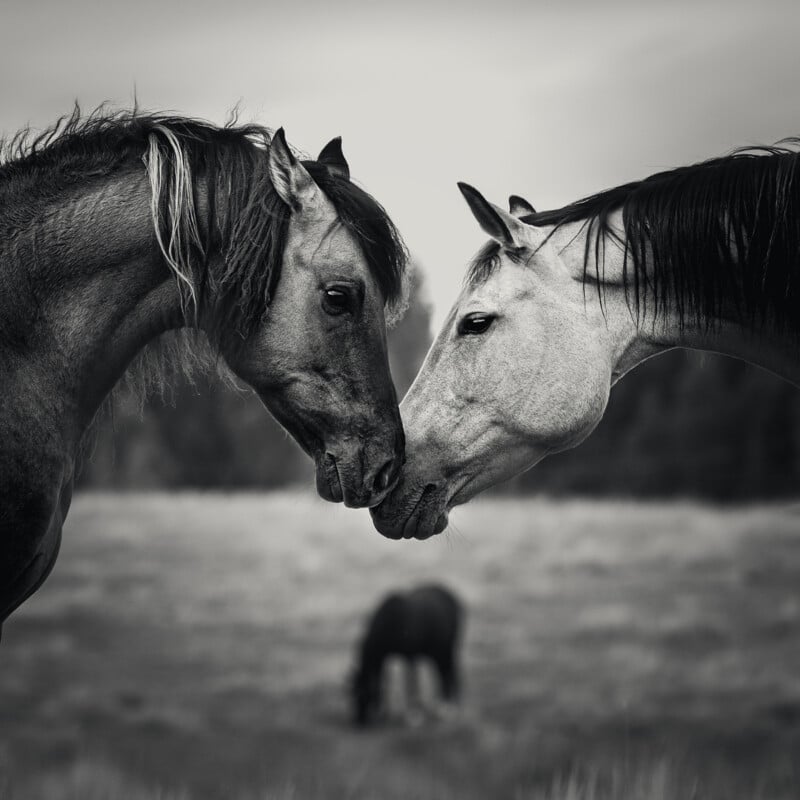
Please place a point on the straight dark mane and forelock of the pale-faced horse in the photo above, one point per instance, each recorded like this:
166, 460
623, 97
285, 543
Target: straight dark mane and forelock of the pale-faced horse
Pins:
718, 239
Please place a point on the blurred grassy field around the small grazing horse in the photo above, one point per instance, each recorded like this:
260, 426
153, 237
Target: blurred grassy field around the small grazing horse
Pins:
197, 646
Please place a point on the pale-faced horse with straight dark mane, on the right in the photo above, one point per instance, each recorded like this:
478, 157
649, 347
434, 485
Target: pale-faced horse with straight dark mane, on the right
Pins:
559, 305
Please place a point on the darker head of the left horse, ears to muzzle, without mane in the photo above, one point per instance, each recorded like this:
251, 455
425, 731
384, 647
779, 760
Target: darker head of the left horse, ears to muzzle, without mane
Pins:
318, 356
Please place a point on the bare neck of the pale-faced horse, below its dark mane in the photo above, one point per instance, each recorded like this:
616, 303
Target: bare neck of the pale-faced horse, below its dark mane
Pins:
636, 331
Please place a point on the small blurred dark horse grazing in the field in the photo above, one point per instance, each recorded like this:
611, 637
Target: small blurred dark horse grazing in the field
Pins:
423, 623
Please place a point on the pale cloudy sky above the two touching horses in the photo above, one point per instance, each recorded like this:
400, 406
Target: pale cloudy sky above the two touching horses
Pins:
550, 100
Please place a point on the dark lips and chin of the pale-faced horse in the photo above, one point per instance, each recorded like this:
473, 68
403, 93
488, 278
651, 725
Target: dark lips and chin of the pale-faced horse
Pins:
418, 516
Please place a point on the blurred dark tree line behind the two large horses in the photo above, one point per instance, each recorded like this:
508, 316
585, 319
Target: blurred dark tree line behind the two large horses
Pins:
681, 424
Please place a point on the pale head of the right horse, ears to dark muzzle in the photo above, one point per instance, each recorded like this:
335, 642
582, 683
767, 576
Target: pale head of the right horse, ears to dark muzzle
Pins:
520, 369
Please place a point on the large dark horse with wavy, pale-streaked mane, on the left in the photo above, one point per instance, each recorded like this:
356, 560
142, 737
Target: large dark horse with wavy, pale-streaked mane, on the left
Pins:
117, 228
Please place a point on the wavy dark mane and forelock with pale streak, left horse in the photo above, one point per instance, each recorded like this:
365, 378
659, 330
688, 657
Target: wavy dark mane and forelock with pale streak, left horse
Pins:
243, 216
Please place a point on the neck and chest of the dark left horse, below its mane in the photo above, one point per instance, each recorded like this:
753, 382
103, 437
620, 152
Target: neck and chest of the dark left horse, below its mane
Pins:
82, 289
